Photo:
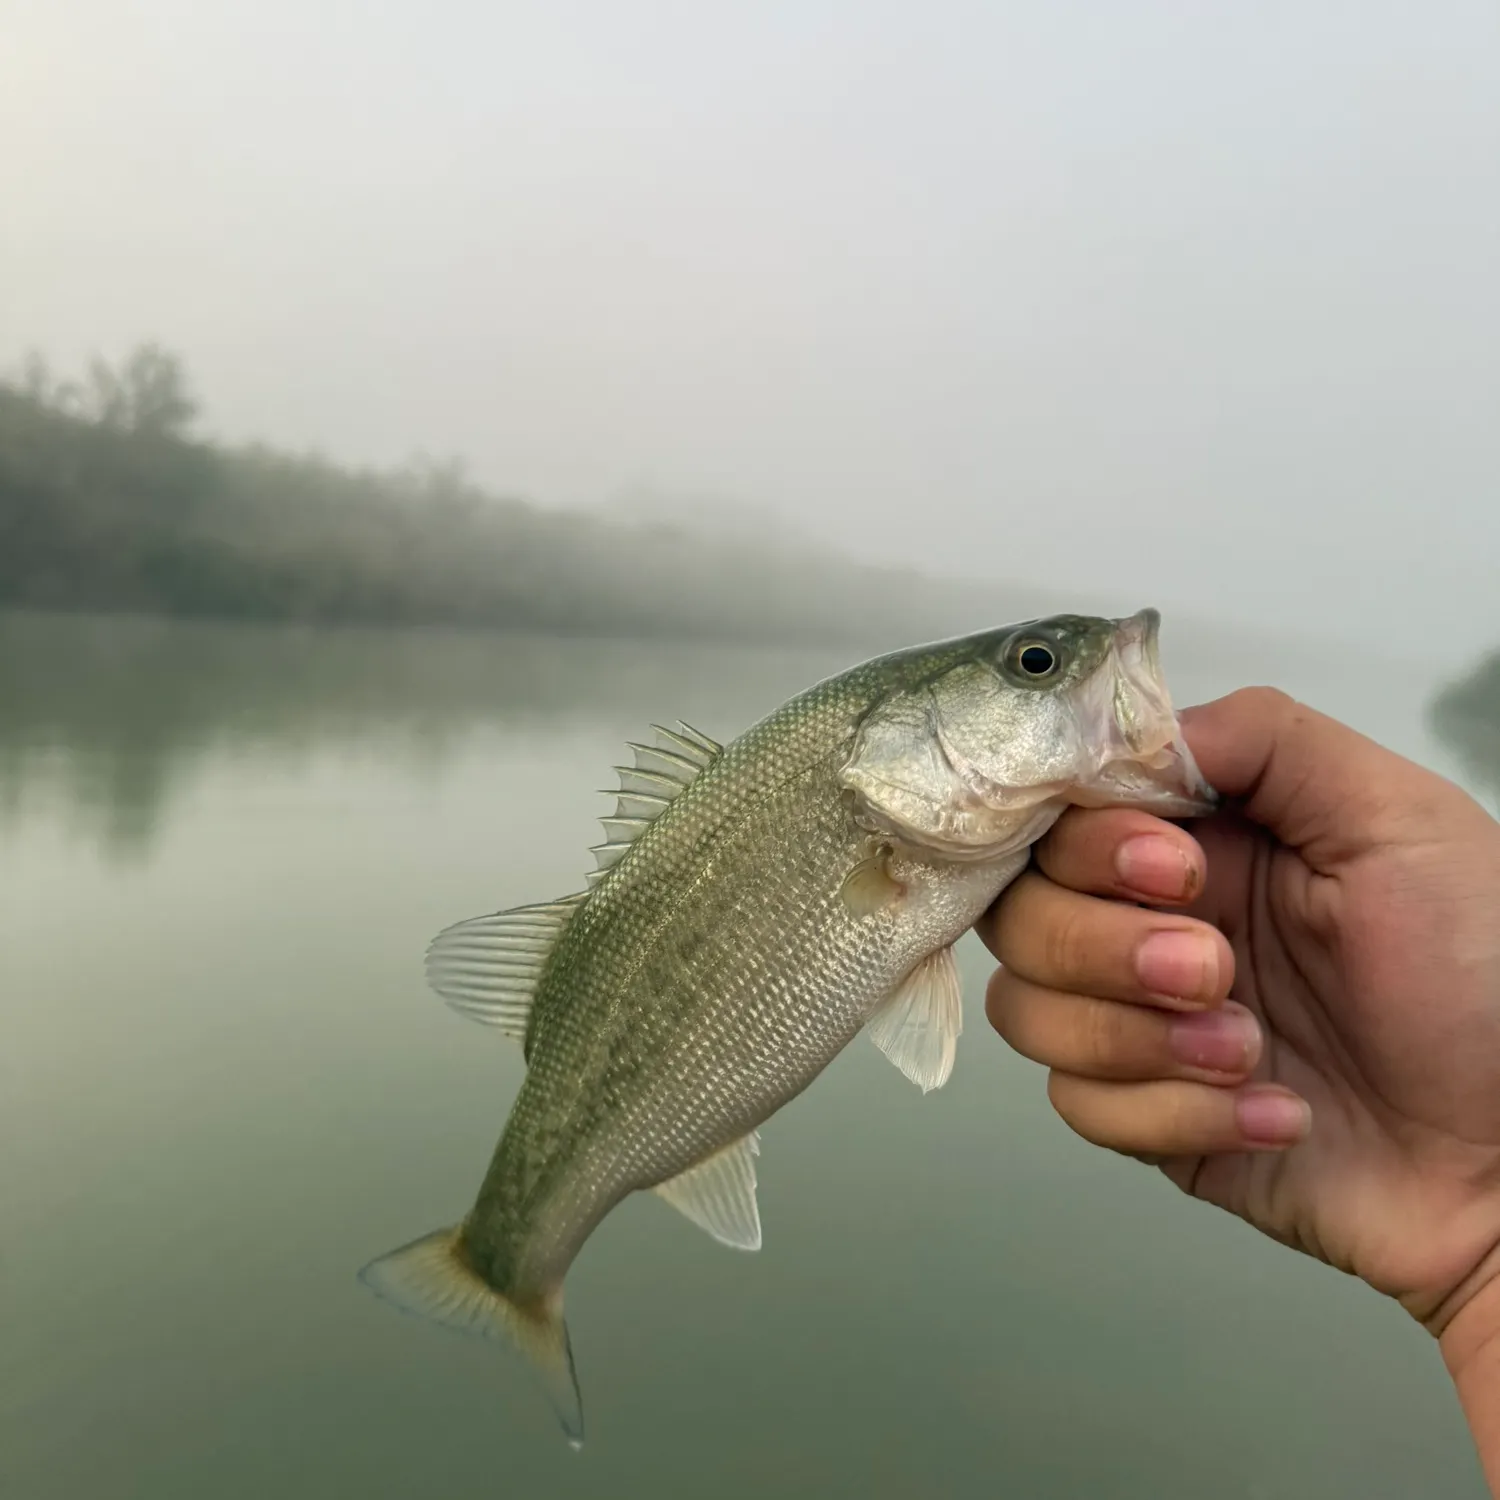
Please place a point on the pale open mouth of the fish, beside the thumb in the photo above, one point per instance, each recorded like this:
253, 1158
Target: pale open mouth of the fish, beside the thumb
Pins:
1127, 712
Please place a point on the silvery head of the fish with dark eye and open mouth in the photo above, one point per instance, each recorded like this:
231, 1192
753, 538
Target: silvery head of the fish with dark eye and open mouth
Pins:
986, 740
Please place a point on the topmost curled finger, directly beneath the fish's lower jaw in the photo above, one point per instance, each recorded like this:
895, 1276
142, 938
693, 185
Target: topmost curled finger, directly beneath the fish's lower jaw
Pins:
1126, 854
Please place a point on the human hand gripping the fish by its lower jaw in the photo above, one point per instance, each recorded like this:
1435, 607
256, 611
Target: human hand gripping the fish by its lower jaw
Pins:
1348, 1100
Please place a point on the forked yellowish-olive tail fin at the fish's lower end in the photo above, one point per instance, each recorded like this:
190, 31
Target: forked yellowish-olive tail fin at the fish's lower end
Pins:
433, 1279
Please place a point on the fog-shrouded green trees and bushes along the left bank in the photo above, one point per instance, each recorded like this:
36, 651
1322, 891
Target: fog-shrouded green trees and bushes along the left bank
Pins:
110, 505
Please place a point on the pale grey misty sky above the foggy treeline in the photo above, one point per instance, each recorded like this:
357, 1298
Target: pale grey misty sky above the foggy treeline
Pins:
1187, 304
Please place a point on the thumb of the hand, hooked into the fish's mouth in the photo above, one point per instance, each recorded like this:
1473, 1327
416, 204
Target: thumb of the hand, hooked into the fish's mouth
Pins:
1318, 785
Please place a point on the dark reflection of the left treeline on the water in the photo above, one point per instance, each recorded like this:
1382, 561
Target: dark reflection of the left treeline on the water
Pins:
109, 719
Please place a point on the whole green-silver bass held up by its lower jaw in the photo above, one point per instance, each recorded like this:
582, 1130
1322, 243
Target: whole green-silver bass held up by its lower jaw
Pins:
755, 908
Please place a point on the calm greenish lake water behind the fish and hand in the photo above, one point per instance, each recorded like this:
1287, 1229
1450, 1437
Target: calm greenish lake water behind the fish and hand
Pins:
224, 1088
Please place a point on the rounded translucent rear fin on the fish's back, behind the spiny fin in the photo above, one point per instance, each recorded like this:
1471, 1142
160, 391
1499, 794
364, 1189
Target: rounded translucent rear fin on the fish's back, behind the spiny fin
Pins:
487, 968
